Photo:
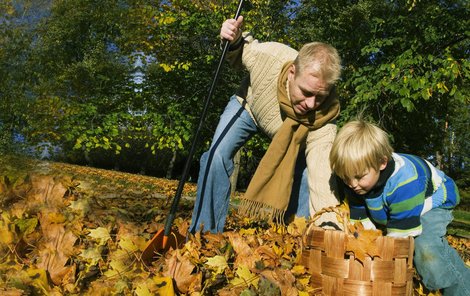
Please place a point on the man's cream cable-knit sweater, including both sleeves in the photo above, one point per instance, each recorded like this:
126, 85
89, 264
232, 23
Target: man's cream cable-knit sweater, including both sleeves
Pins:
264, 61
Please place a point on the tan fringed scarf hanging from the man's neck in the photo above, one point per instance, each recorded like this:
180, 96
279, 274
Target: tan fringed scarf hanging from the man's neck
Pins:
269, 191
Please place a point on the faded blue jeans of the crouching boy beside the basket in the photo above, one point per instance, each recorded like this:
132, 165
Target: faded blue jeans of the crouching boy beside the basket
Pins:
438, 264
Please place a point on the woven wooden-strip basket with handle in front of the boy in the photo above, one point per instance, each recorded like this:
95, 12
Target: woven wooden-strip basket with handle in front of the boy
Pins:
336, 272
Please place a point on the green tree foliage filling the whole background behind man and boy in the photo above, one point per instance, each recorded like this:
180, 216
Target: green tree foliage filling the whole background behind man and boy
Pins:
69, 76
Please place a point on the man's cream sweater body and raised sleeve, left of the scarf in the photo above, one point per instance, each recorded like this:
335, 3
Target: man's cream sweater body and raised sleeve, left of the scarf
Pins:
264, 62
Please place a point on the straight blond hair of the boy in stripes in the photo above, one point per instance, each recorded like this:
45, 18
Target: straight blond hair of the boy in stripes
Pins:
359, 146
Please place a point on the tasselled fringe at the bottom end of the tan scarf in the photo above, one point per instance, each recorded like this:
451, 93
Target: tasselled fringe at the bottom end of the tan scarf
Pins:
262, 211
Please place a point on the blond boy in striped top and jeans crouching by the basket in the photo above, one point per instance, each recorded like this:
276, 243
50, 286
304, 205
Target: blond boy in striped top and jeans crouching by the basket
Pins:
405, 194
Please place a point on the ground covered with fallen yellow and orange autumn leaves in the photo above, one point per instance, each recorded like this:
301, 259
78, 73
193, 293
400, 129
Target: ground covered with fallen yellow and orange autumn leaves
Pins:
72, 230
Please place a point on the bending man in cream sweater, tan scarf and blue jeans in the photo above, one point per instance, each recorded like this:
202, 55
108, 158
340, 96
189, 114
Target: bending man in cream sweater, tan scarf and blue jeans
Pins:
289, 96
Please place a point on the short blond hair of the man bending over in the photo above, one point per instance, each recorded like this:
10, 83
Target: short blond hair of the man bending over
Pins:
322, 58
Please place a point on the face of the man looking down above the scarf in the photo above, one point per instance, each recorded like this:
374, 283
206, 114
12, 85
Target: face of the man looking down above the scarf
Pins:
307, 92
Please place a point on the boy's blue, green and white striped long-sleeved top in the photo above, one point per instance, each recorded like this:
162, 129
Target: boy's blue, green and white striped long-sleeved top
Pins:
410, 188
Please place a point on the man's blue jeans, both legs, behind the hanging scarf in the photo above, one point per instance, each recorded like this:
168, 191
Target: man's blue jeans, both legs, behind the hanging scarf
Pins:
235, 128
